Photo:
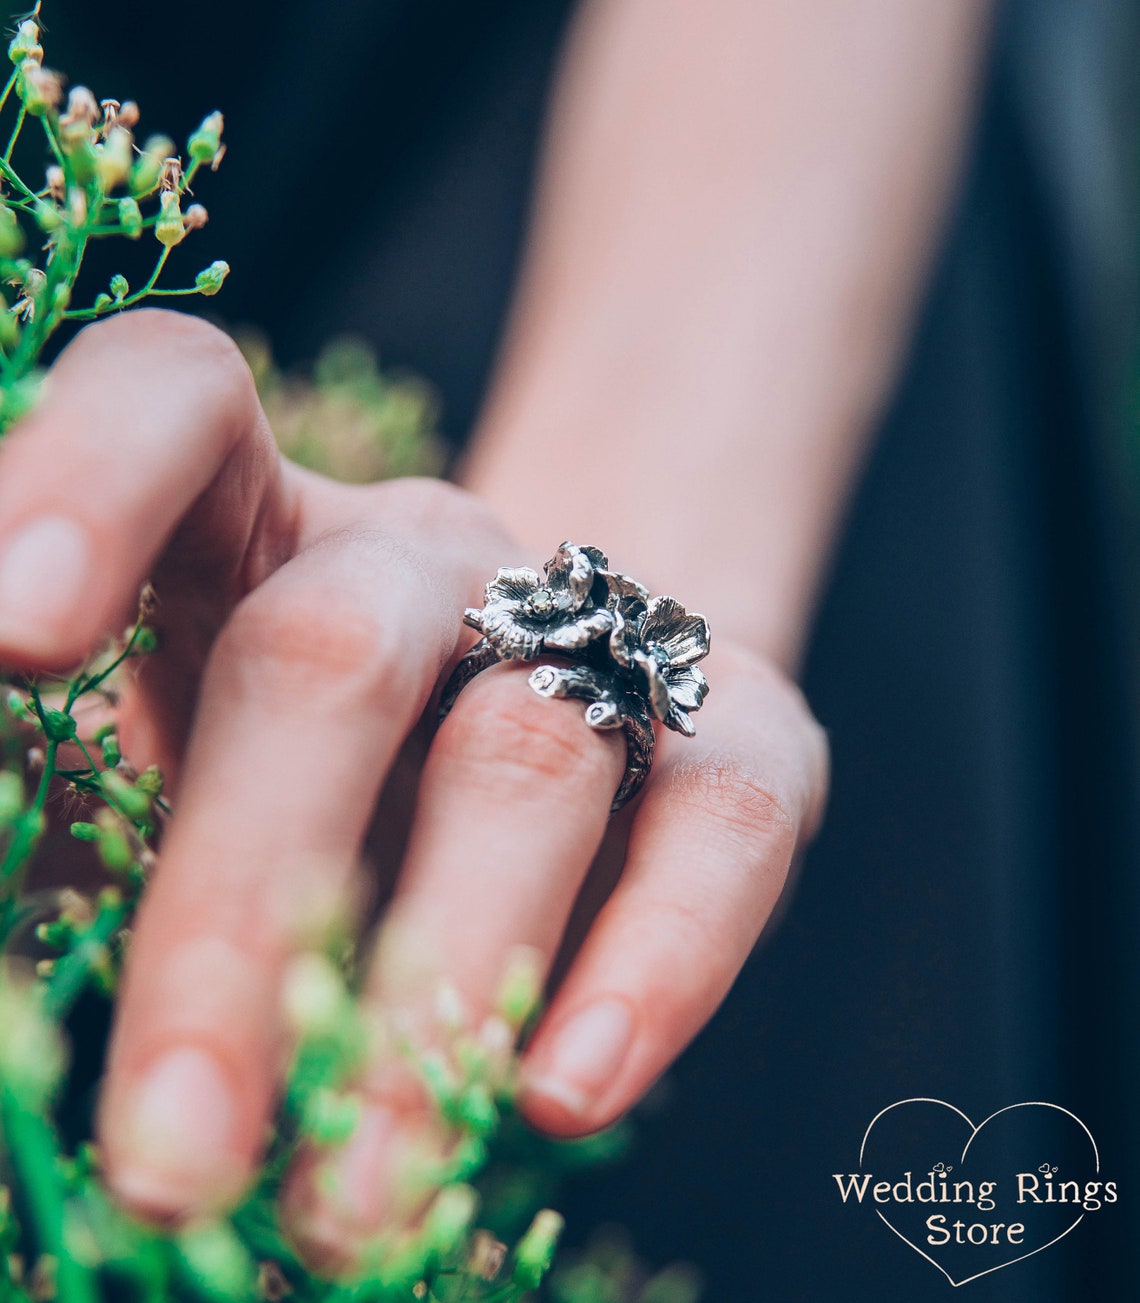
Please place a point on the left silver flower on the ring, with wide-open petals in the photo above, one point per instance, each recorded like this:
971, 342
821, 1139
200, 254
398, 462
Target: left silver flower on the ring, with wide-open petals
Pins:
526, 614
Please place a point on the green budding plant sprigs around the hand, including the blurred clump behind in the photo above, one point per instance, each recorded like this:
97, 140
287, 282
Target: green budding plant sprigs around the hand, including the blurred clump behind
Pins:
62, 1236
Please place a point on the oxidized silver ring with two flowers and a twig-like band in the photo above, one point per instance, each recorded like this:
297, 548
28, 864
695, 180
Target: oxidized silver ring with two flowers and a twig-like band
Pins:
633, 656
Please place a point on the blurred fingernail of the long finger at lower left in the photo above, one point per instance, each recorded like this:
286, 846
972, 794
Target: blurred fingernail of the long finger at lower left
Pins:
177, 1147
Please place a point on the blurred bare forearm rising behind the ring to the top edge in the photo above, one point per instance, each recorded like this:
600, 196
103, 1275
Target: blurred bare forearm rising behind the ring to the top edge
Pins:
737, 212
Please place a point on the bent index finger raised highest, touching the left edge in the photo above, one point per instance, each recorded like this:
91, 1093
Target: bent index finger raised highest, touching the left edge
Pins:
143, 418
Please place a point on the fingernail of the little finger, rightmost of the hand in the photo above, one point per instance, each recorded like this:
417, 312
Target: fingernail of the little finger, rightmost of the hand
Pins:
584, 1056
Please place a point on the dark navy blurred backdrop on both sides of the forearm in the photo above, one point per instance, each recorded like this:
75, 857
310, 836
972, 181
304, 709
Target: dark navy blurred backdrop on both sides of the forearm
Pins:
966, 927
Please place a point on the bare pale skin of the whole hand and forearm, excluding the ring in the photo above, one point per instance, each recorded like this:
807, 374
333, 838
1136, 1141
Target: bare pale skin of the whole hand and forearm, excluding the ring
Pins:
737, 212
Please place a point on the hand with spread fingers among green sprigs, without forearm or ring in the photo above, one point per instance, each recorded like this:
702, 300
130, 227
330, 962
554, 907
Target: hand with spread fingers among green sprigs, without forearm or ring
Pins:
307, 627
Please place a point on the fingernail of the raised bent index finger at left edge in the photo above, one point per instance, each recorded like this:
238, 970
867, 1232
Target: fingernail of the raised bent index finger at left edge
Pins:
45, 570
